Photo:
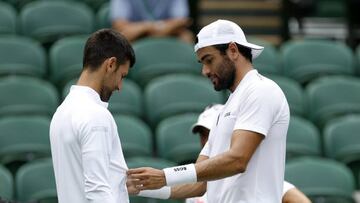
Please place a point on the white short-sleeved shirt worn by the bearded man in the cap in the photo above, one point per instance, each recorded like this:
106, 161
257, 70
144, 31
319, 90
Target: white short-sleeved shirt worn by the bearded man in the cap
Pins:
259, 105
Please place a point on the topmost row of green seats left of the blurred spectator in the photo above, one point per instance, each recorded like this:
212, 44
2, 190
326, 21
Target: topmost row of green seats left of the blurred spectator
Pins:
47, 21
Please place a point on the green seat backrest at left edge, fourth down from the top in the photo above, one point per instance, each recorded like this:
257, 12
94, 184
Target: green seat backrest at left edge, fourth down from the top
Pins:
24, 138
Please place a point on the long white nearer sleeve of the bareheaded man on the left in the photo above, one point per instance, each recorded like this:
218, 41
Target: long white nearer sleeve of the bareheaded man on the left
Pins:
96, 142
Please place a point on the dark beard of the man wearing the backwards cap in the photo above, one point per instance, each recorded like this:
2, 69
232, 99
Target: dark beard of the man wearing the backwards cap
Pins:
226, 74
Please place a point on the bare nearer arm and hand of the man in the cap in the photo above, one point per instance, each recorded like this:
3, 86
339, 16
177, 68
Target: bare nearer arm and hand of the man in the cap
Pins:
243, 145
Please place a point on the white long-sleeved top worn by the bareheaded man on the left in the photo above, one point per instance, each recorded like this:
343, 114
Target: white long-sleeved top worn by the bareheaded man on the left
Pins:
87, 156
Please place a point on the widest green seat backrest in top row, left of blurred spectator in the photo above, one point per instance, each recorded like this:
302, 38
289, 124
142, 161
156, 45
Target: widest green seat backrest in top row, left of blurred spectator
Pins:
41, 19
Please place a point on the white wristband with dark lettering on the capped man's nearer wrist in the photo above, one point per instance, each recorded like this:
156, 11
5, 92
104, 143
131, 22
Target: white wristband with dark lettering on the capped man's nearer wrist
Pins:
180, 175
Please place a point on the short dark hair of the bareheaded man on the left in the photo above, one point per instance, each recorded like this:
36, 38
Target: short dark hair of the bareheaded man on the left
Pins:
106, 43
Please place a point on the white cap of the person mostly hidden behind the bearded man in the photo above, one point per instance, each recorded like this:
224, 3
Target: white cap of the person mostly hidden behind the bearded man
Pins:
207, 118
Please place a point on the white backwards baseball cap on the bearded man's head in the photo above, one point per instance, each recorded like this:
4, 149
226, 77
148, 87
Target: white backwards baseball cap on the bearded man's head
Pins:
223, 32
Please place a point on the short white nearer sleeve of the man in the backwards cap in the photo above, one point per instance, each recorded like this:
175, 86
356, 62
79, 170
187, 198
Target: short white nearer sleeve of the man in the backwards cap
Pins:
257, 111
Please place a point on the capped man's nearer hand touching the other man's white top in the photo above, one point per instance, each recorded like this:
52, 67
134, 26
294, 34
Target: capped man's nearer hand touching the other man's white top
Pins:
147, 178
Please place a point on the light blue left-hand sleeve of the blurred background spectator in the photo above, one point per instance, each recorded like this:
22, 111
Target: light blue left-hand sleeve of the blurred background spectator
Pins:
119, 9
